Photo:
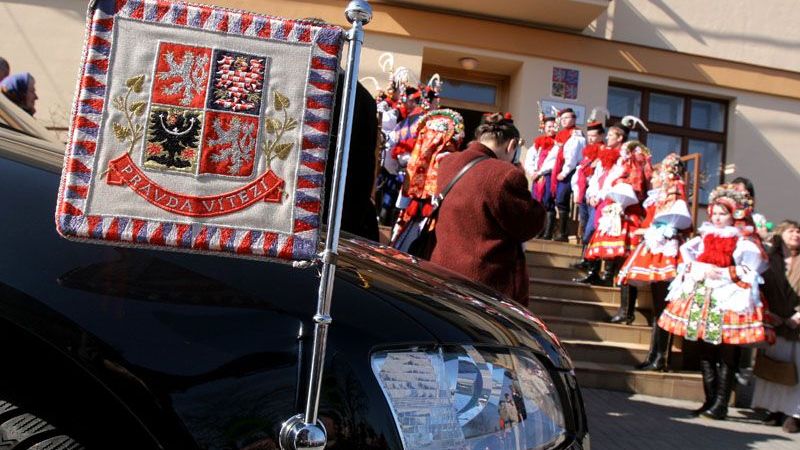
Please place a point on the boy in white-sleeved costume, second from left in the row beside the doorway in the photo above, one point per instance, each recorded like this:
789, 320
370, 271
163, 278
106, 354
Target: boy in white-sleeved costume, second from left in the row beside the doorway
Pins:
569, 146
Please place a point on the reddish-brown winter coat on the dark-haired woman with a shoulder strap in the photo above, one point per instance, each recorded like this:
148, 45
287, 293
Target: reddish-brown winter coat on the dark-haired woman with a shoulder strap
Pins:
484, 221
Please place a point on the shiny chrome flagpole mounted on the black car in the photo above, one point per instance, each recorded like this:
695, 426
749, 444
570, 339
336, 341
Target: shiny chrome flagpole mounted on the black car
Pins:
304, 431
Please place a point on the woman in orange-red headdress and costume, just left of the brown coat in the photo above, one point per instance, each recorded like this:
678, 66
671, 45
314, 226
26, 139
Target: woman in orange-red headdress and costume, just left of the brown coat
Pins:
439, 132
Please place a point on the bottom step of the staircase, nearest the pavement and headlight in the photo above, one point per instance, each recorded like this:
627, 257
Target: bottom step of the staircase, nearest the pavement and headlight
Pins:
617, 377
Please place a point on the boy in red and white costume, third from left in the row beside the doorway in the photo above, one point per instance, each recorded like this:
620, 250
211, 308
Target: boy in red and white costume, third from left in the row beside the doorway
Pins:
595, 134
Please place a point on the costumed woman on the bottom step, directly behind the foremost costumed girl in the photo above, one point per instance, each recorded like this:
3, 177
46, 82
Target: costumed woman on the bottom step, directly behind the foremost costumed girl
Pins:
655, 260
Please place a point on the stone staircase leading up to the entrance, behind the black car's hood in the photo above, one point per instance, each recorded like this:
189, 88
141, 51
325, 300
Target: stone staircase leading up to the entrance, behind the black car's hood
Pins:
603, 353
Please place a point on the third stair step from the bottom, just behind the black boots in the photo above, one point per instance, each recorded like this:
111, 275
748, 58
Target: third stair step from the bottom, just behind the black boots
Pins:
567, 289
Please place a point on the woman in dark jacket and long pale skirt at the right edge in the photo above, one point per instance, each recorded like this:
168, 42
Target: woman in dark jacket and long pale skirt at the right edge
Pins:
781, 289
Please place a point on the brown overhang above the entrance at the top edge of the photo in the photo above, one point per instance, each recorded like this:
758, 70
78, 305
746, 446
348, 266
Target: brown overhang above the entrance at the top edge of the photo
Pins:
572, 15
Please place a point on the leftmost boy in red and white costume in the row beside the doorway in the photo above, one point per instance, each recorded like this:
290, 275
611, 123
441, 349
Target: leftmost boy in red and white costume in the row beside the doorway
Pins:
540, 159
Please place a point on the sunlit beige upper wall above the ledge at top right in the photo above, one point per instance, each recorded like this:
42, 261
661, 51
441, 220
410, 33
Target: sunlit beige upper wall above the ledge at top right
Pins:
756, 32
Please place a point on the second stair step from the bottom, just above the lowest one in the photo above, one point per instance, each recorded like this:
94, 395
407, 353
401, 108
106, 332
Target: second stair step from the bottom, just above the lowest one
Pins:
589, 330
